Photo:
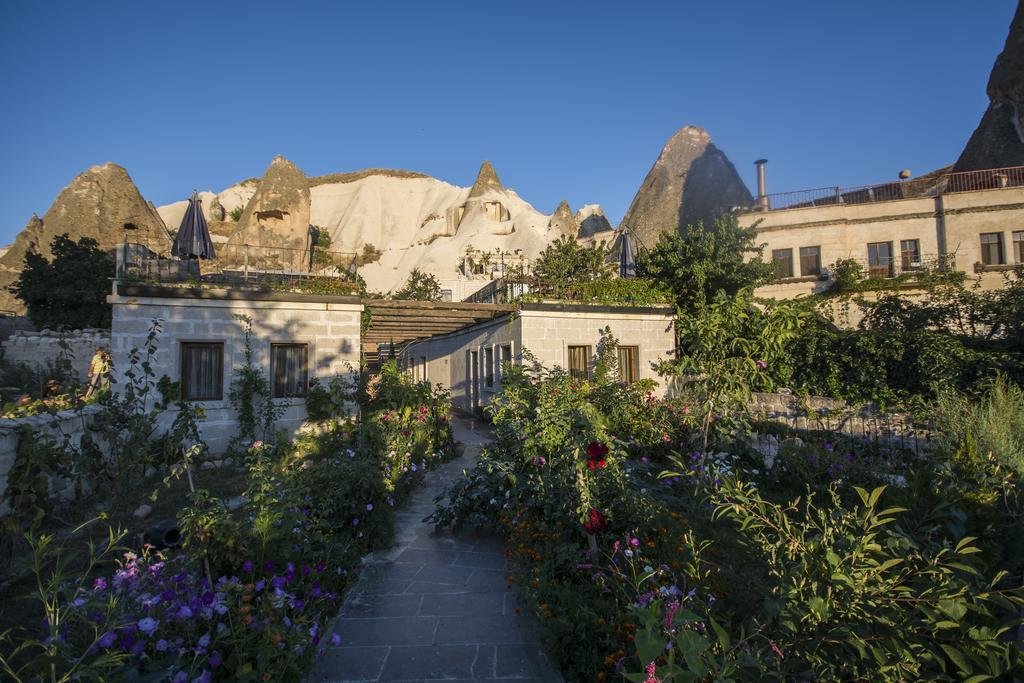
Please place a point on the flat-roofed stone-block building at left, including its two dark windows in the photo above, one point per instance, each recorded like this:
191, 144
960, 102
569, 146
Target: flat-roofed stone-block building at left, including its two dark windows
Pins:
295, 338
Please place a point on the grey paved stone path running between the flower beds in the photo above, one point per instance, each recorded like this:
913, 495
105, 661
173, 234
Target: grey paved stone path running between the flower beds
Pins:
436, 606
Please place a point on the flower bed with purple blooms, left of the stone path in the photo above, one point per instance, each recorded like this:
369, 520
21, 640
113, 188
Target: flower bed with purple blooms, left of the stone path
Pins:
250, 594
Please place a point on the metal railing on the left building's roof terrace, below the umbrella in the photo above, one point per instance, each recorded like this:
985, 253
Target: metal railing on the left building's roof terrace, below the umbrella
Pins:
235, 265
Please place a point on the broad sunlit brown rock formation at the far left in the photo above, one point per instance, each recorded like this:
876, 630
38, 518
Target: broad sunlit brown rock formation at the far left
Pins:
98, 204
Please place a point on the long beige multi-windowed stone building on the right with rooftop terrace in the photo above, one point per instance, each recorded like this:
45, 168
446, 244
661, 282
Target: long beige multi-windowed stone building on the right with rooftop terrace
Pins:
972, 223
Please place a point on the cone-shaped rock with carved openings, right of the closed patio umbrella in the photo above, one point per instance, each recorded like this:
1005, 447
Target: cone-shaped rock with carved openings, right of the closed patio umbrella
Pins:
277, 218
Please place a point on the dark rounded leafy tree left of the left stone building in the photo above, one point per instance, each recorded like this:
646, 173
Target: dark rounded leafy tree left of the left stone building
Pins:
69, 292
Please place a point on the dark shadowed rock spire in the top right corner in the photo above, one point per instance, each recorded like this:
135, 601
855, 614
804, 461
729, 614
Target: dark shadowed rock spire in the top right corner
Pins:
999, 141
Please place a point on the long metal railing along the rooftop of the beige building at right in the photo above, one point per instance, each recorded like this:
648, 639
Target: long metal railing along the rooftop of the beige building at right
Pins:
965, 182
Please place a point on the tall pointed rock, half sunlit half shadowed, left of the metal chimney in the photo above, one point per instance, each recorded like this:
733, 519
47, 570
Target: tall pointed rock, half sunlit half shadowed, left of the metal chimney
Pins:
693, 181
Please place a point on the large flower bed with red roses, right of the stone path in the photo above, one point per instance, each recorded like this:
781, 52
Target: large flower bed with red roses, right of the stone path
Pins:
649, 561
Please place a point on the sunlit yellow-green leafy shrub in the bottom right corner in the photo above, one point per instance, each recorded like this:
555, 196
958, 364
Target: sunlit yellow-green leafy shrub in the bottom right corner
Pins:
855, 595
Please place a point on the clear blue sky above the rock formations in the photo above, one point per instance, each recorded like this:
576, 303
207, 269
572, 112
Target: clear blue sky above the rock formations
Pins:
569, 100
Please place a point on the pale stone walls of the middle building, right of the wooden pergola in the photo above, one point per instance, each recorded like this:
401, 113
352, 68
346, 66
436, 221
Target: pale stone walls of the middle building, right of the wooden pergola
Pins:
547, 330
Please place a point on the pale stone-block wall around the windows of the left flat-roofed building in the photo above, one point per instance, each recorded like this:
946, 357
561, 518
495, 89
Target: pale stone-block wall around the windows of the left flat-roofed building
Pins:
328, 326
